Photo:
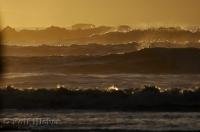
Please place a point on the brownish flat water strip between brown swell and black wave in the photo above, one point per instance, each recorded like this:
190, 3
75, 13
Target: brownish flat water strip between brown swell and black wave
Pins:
99, 81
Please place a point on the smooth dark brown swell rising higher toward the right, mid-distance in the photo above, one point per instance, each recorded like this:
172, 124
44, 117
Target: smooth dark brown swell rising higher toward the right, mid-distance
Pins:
155, 61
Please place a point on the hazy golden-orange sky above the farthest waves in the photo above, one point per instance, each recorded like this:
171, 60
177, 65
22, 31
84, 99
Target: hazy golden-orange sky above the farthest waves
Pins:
43, 13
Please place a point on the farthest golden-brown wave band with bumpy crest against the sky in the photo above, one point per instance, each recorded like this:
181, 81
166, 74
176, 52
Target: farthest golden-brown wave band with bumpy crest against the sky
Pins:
84, 34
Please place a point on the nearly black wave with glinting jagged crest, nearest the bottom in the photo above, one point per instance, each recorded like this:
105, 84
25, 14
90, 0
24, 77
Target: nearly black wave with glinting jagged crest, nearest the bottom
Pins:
150, 98
